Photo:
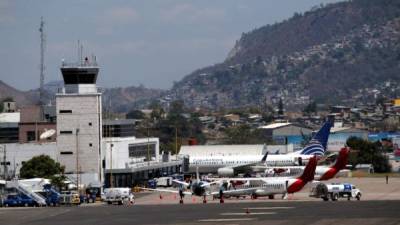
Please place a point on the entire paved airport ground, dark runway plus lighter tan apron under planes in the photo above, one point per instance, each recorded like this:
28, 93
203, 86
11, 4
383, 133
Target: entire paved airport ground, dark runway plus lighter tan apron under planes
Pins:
380, 204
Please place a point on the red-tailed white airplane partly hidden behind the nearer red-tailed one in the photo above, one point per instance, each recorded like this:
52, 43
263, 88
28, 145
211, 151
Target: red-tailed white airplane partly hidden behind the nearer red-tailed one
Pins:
321, 172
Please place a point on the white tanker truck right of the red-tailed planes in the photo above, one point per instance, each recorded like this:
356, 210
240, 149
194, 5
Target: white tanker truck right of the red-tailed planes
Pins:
334, 191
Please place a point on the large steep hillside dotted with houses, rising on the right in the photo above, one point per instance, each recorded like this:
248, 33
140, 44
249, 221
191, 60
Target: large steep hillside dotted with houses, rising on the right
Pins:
346, 52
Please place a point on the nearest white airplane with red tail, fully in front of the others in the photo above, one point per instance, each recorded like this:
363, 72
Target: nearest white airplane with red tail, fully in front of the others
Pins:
266, 186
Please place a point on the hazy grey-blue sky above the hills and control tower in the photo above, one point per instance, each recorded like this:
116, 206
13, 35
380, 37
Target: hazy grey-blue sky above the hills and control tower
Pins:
143, 42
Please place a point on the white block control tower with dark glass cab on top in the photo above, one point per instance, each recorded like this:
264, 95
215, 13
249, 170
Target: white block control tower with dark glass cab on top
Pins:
79, 122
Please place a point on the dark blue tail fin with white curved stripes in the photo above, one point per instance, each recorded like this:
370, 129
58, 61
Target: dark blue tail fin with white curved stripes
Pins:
317, 145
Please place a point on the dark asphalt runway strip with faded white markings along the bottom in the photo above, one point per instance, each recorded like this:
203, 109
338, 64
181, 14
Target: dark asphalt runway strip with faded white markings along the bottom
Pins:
313, 212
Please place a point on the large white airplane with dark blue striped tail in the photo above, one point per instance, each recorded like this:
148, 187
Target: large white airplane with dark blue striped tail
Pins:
228, 166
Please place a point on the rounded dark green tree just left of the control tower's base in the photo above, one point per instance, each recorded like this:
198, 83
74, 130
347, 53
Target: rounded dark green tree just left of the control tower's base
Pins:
41, 166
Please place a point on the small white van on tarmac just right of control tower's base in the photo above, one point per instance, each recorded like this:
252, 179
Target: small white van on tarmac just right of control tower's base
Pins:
119, 195
